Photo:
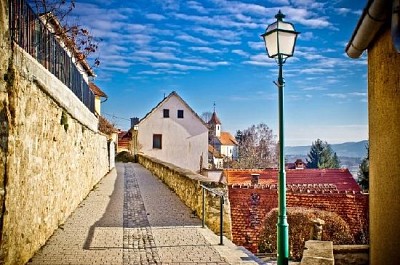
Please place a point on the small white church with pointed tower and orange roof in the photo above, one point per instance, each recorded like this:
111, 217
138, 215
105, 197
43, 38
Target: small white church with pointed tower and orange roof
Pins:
222, 142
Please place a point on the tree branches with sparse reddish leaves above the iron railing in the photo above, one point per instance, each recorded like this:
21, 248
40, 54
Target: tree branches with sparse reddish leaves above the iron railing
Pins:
77, 39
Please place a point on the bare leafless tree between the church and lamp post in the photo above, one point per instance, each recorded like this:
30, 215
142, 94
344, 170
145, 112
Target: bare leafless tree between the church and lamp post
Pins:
257, 147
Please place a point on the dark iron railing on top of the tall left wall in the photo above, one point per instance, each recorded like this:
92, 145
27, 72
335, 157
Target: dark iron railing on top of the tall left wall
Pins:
32, 35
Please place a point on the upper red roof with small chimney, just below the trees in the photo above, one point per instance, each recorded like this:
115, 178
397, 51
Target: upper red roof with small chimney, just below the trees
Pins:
341, 179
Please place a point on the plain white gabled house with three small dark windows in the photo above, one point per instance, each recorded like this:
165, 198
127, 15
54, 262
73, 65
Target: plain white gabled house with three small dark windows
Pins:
174, 133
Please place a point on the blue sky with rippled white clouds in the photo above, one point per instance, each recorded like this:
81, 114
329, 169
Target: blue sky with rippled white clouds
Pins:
211, 51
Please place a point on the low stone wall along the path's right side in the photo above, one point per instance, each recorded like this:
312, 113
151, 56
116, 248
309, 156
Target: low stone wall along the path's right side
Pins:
186, 184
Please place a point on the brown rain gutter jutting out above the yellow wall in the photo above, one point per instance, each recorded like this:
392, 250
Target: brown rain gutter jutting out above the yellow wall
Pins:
372, 19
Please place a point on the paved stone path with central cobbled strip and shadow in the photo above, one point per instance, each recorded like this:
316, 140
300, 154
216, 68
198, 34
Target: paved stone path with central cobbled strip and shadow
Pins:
131, 217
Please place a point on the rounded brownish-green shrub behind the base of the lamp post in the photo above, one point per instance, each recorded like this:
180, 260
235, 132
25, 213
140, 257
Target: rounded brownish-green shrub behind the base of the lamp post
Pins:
299, 220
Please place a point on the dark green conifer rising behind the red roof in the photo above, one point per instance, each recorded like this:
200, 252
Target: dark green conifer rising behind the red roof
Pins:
321, 155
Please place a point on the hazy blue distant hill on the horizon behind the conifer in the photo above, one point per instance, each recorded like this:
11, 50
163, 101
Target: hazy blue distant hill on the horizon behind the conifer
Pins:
348, 149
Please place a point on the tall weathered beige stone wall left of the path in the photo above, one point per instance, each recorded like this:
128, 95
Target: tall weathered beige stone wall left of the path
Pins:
51, 153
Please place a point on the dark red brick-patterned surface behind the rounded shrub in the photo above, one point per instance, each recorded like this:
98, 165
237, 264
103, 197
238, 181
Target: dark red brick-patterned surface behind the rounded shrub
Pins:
249, 207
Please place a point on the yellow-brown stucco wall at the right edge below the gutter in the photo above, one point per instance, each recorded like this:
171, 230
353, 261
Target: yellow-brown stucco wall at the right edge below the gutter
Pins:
384, 136
